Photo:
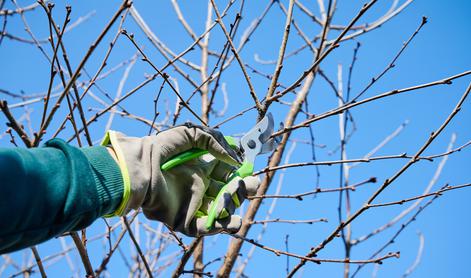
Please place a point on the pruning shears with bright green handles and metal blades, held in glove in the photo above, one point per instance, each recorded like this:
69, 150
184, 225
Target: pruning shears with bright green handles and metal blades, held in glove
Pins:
256, 141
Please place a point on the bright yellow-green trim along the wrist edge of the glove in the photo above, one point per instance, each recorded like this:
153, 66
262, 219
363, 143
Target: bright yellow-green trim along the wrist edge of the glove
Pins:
110, 137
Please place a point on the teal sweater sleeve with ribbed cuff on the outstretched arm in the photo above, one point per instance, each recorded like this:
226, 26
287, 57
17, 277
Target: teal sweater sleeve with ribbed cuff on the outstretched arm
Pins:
47, 191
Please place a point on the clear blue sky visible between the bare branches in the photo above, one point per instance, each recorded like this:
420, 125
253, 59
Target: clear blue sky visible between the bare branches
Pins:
441, 49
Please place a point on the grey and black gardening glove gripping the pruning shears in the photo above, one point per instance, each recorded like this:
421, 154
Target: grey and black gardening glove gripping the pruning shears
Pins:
181, 196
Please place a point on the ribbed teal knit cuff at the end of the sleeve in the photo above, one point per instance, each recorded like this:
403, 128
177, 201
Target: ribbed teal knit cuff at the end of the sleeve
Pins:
108, 178
